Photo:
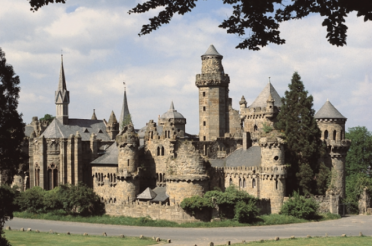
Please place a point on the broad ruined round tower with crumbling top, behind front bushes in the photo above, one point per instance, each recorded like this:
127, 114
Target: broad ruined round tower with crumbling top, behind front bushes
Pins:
186, 175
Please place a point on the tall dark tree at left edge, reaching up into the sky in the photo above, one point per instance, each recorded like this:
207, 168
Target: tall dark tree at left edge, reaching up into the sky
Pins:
11, 124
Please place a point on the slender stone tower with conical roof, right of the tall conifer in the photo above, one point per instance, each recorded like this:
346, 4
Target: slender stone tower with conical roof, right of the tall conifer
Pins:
332, 125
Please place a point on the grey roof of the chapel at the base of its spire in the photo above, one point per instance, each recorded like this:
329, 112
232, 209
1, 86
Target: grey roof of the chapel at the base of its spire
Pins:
57, 130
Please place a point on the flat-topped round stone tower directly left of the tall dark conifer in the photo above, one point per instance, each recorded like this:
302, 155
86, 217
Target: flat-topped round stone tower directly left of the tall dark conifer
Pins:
273, 172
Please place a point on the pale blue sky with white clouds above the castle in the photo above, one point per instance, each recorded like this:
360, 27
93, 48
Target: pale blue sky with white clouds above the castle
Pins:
102, 49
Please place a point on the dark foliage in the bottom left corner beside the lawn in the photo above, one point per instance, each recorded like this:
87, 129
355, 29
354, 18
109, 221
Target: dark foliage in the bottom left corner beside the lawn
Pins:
6, 210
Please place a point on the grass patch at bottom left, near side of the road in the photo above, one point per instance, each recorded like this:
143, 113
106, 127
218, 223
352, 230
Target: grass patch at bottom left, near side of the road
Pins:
18, 238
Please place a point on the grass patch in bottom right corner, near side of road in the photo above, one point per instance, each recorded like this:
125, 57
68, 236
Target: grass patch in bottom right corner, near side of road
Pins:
316, 241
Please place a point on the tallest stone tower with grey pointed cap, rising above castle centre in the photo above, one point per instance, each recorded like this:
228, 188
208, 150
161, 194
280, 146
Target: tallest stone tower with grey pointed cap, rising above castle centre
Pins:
213, 86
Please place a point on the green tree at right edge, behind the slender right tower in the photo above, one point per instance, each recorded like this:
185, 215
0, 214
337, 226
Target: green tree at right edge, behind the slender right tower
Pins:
358, 165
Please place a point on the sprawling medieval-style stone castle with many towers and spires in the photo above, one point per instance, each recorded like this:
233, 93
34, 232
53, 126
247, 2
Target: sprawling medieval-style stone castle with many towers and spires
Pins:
151, 170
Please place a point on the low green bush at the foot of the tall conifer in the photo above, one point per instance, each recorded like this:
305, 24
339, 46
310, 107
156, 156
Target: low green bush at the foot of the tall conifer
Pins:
300, 207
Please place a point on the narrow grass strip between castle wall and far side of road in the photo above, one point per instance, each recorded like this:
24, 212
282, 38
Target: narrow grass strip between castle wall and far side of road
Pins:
272, 219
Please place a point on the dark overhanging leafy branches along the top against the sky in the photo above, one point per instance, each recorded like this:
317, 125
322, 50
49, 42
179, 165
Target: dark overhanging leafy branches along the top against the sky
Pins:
261, 19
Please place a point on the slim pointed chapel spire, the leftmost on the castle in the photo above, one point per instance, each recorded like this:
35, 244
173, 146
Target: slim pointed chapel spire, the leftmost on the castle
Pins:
62, 97
